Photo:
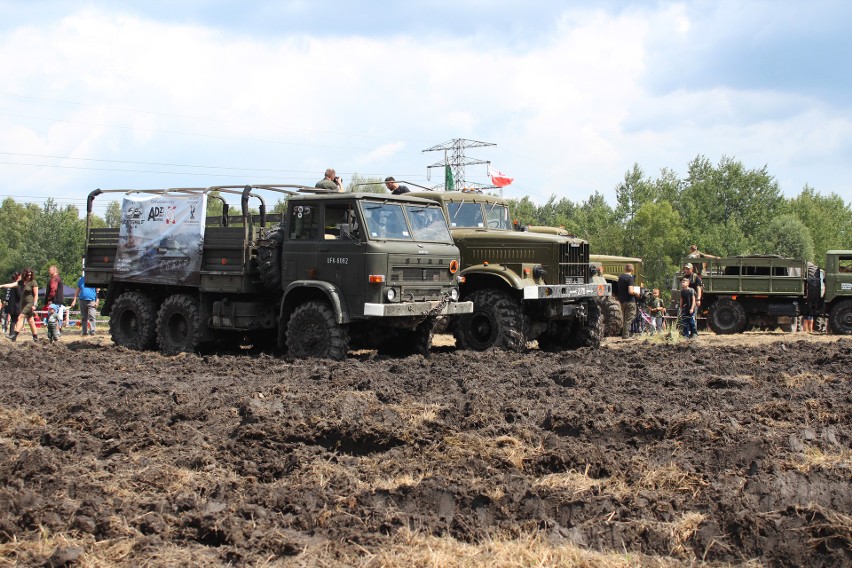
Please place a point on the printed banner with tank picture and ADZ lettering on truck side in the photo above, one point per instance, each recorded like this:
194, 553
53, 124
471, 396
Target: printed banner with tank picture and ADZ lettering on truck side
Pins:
160, 239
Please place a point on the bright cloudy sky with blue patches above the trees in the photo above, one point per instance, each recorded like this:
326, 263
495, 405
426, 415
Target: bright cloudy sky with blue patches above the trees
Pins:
162, 93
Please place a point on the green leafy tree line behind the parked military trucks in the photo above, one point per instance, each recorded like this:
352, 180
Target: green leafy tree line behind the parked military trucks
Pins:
725, 209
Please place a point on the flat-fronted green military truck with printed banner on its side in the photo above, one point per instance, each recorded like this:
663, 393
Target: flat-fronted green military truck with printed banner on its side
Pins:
339, 270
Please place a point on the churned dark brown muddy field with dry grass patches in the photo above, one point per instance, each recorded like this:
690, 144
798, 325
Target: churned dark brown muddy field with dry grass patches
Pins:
735, 451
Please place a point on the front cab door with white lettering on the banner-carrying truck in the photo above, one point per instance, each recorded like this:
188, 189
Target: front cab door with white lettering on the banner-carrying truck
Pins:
341, 254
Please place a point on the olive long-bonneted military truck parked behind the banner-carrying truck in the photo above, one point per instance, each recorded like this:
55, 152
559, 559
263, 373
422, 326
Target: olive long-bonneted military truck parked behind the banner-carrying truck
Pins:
524, 285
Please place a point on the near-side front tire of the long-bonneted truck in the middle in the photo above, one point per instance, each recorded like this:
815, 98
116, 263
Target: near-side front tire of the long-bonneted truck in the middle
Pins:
497, 321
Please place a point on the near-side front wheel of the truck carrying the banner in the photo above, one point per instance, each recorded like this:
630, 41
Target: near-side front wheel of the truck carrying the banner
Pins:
313, 332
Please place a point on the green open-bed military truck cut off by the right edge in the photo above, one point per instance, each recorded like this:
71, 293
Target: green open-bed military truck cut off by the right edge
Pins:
742, 292
